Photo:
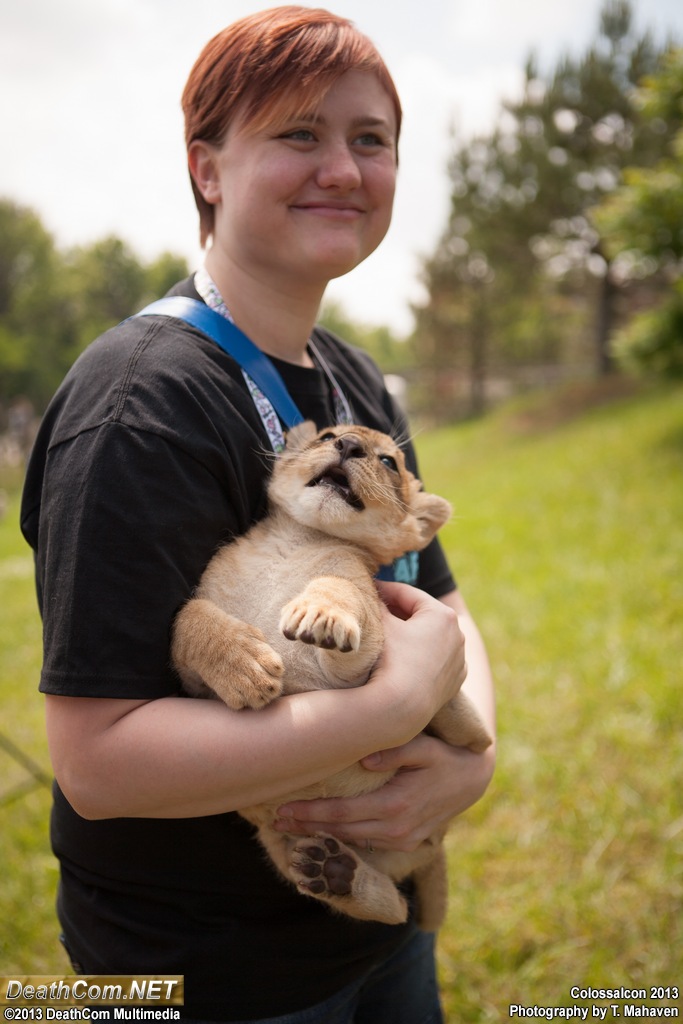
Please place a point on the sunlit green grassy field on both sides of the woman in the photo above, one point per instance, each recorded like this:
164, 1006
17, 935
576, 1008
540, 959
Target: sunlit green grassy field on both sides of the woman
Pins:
568, 542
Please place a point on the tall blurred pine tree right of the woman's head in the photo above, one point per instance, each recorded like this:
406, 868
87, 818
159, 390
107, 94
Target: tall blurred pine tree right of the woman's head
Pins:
522, 274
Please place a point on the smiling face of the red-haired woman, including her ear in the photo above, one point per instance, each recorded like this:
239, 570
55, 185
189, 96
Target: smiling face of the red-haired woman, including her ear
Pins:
308, 201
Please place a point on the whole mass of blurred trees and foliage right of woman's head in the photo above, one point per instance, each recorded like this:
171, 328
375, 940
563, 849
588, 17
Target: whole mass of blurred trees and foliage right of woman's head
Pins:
526, 283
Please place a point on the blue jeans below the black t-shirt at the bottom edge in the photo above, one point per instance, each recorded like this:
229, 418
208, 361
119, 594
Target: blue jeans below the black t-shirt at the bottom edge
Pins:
403, 991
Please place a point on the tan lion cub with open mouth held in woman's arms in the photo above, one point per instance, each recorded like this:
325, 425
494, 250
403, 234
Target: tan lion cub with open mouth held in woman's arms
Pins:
341, 504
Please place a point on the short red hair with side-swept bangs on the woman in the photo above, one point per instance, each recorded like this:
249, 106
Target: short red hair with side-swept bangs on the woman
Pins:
264, 66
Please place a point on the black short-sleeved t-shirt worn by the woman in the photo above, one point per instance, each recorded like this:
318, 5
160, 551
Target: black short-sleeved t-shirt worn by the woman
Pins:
152, 455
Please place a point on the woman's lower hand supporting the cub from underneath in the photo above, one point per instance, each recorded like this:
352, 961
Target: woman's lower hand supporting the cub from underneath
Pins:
434, 784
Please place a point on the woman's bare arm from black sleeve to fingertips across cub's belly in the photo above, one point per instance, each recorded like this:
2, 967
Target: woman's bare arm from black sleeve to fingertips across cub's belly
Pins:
178, 757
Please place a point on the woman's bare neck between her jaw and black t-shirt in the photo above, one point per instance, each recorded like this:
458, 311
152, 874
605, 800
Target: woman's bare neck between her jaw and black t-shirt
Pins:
278, 322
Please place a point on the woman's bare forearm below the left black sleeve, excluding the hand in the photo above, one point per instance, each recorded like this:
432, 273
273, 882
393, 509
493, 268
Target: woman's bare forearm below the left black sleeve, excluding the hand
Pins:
186, 758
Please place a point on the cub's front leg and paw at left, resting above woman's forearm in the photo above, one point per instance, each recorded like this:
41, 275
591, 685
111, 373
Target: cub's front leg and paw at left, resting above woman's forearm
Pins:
219, 653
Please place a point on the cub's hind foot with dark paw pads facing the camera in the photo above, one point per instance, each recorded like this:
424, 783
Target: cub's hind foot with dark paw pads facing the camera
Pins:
328, 870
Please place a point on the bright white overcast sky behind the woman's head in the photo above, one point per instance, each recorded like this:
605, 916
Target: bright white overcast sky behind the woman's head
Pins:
93, 134
